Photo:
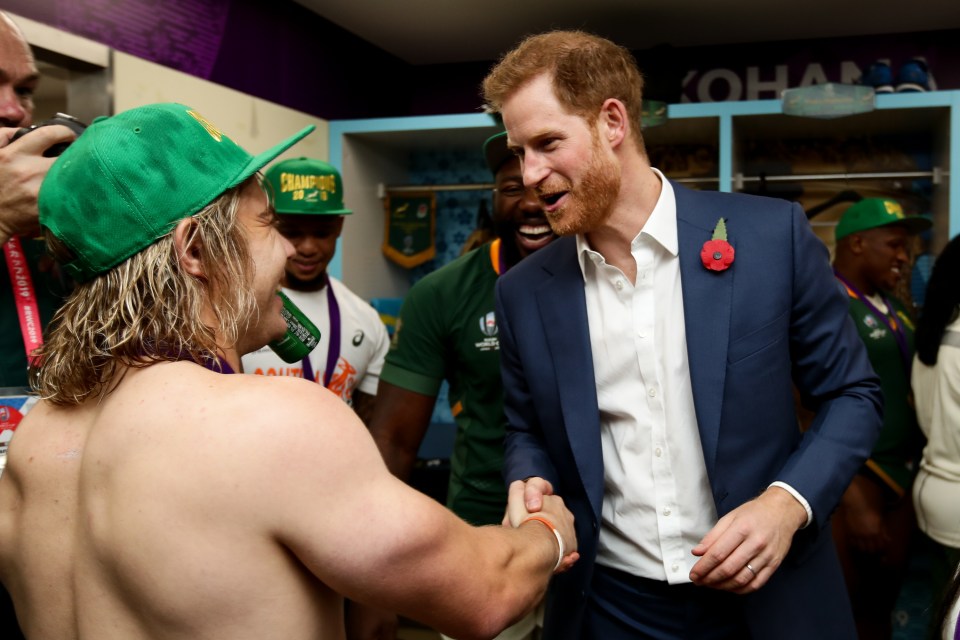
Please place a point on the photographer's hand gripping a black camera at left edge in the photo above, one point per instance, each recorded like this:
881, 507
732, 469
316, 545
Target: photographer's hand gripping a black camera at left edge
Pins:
22, 168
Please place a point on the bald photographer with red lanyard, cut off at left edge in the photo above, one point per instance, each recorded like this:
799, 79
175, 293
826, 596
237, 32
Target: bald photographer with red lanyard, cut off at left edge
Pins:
22, 168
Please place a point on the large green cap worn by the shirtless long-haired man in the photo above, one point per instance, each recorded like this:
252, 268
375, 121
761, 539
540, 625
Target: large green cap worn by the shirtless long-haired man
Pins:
128, 179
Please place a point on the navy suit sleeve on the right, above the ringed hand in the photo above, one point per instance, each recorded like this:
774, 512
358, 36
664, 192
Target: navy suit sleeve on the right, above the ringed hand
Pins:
834, 378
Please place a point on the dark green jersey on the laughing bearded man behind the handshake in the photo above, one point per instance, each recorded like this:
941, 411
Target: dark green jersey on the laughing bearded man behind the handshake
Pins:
447, 330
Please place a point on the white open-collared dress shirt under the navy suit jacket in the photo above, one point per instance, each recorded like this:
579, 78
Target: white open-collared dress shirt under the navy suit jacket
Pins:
657, 500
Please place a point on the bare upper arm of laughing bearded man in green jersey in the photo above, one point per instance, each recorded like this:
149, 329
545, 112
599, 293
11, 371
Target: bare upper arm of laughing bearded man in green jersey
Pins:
398, 425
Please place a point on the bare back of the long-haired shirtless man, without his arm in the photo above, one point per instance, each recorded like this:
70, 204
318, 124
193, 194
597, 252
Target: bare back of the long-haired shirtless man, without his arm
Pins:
130, 520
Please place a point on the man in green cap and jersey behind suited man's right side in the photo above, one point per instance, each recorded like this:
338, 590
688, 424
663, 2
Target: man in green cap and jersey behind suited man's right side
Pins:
873, 525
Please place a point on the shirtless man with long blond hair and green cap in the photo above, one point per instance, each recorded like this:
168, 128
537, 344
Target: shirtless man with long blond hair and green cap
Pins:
143, 498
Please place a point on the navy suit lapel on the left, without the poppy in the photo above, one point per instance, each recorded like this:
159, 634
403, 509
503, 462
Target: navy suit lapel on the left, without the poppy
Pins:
563, 314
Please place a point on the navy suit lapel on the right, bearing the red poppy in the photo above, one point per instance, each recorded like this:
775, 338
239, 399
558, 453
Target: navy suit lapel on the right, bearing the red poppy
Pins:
707, 299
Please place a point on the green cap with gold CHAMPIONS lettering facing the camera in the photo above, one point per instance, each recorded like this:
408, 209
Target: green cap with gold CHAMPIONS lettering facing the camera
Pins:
306, 186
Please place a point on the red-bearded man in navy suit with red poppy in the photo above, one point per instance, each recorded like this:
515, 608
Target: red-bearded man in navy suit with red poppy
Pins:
649, 358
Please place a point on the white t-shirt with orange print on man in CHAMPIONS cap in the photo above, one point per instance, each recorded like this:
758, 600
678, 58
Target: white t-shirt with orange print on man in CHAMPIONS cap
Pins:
363, 343
